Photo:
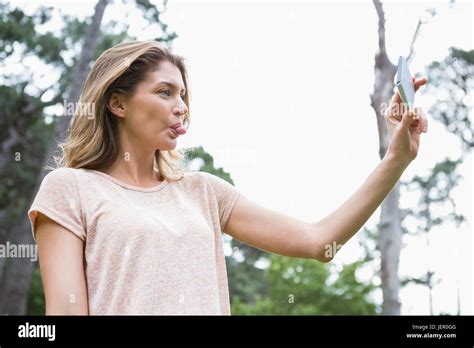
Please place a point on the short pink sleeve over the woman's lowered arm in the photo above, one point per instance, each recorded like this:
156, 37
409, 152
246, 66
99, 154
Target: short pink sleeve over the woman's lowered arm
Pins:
58, 199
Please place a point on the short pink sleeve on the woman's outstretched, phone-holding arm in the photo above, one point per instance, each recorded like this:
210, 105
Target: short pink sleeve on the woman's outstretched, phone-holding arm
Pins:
226, 196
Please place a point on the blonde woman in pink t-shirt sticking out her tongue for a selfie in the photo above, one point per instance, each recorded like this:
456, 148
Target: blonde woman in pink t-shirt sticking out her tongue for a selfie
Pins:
123, 229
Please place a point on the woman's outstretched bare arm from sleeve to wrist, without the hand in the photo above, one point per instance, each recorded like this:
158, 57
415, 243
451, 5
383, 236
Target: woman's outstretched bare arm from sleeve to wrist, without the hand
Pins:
284, 235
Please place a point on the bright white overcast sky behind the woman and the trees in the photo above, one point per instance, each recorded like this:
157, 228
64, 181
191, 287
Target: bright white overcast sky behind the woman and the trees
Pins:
280, 97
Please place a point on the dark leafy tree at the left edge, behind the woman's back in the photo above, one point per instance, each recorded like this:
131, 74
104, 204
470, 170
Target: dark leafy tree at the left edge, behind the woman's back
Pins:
16, 273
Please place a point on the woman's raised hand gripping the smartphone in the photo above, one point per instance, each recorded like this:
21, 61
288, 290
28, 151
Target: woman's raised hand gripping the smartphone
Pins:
404, 127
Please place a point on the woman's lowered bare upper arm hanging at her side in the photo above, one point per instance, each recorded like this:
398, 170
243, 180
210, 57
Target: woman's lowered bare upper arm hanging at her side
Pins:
61, 257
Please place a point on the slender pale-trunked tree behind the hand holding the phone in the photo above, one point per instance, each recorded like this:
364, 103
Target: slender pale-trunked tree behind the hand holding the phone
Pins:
390, 226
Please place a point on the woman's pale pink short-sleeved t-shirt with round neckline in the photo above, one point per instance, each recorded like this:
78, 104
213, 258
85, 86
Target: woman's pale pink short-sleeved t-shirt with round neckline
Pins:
154, 250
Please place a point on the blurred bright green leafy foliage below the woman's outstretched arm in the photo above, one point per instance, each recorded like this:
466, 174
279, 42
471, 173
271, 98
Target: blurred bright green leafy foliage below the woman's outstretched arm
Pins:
305, 287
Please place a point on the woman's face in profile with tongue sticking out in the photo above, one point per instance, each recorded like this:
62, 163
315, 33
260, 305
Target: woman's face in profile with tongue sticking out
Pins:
156, 106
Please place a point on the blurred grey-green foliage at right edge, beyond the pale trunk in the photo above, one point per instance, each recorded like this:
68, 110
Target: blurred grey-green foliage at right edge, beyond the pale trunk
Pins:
451, 82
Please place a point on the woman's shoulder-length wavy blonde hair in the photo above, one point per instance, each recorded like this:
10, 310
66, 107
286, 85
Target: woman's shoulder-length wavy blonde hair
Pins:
92, 141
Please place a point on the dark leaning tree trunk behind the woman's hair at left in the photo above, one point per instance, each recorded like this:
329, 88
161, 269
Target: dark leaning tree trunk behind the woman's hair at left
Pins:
17, 273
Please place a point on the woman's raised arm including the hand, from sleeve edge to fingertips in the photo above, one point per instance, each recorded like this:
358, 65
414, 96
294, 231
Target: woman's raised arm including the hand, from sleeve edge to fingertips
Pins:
284, 235
